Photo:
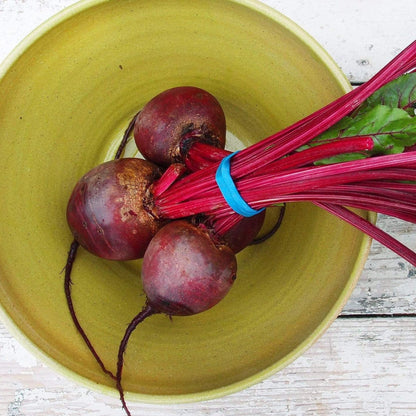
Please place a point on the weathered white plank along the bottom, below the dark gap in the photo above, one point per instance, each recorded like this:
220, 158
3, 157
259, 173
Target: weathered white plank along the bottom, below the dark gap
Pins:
361, 367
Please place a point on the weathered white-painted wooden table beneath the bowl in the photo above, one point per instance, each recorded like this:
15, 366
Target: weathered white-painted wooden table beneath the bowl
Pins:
365, 364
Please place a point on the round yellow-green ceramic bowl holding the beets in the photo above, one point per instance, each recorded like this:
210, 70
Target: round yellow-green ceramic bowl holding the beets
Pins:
68, 92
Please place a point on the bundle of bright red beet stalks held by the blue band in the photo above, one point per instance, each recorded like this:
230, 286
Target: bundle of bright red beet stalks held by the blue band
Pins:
268, 172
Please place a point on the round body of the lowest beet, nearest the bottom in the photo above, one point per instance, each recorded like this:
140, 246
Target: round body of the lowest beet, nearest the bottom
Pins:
184, 272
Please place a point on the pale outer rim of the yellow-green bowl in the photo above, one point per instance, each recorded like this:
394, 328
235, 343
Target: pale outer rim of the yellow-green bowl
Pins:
273, 14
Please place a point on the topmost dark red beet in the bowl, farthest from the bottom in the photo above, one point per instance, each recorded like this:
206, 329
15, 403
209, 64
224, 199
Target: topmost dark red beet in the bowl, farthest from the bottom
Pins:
170, 122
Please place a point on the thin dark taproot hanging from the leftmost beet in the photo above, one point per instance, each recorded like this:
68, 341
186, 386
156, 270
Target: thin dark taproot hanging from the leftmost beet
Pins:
67, 284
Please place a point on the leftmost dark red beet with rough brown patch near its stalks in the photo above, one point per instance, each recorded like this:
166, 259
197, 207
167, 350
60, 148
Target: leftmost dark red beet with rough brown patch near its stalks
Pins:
106, 211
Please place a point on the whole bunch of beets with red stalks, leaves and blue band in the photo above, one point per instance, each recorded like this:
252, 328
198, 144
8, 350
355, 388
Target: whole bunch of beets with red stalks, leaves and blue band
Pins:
188, 206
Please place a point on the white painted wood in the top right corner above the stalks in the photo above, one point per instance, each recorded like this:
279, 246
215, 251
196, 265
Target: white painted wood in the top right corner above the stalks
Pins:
361, 35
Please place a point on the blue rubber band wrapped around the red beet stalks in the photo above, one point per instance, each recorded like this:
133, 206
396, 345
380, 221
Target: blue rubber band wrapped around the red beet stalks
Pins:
229, 190
